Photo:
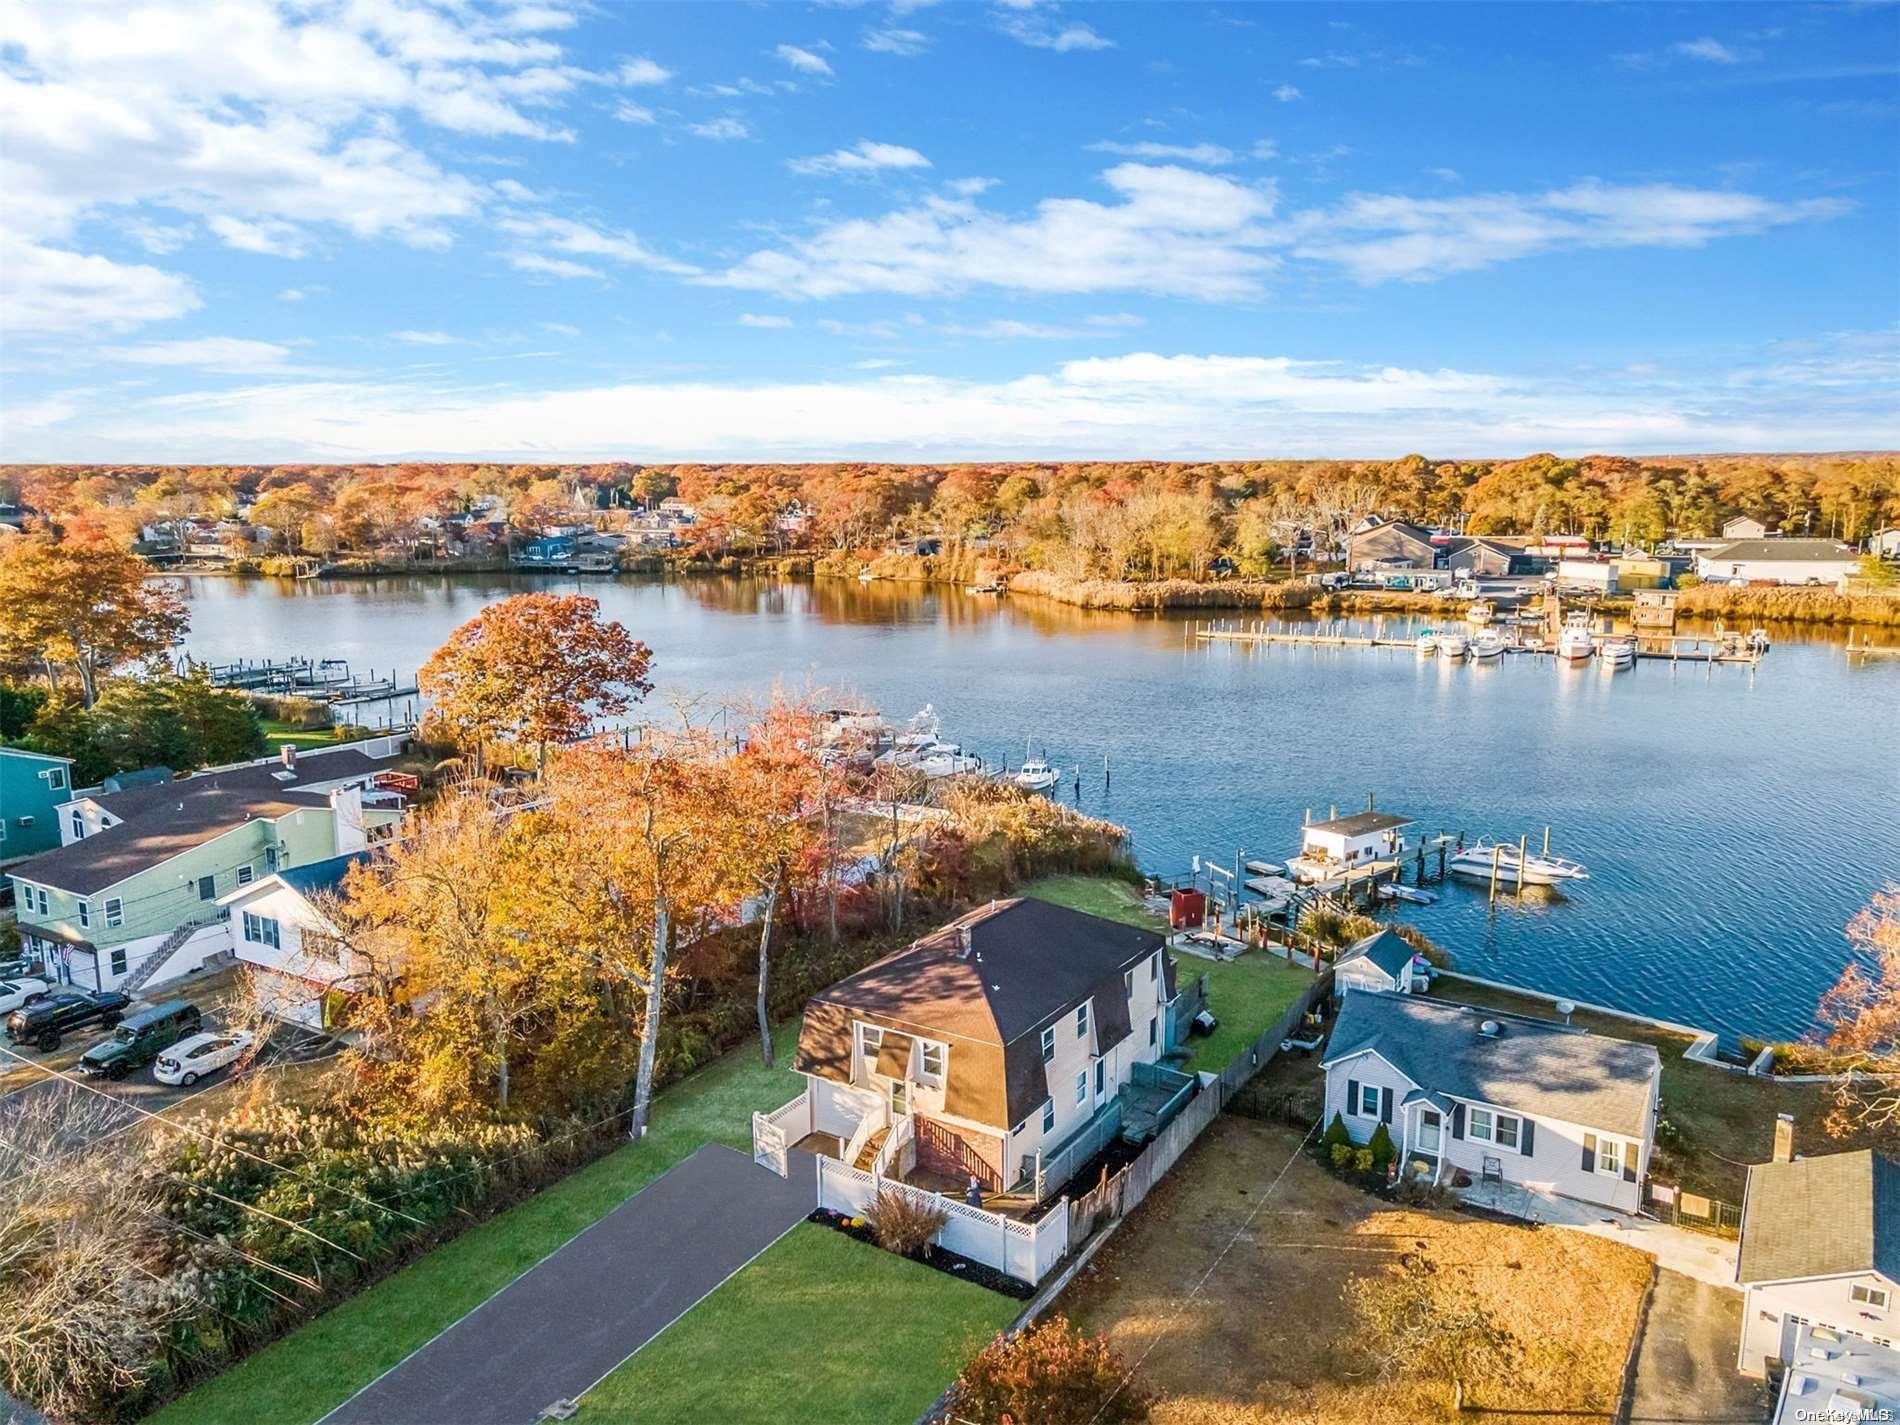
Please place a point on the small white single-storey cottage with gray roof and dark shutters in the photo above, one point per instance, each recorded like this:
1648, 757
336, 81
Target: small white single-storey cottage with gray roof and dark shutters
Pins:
1496, 1095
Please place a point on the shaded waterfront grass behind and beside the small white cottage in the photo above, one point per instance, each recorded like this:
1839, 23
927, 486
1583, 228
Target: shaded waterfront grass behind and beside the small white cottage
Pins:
1722, 1120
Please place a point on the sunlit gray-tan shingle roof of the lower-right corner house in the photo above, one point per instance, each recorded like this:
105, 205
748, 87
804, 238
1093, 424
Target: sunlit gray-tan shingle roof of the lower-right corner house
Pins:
1821, 1217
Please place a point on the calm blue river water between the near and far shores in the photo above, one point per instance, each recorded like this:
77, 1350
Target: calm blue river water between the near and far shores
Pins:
1732, 820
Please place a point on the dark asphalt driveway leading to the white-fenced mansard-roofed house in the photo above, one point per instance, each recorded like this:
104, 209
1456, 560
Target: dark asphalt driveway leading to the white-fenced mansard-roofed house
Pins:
571, 1320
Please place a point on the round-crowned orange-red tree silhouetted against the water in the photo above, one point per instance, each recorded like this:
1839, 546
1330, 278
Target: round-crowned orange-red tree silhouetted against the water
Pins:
533, 670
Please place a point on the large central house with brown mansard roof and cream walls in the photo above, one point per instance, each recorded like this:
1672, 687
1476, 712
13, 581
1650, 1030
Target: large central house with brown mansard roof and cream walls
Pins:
1000, 1036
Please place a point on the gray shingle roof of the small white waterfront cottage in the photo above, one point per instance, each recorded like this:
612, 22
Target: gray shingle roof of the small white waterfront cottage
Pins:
1532, 1067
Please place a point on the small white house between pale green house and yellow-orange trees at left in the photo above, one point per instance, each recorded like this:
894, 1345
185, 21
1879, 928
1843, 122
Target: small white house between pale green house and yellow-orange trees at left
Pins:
301, 972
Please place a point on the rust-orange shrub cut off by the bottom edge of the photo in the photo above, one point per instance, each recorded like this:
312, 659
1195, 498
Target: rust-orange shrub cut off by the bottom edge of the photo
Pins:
1050, 1375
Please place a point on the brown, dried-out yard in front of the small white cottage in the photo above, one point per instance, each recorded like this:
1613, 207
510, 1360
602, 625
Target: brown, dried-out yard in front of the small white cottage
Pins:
1266, 1340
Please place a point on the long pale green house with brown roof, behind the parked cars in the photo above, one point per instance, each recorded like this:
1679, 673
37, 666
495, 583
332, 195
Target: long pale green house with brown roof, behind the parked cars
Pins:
132, 892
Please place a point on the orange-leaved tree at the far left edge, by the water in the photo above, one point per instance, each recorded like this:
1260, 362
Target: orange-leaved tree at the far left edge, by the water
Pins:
83, 605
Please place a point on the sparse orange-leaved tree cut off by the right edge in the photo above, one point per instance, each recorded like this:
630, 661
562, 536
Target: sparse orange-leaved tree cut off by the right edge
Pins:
1863, 1021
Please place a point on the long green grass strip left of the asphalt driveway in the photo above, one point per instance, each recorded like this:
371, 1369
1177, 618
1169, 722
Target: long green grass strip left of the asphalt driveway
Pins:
324, 1363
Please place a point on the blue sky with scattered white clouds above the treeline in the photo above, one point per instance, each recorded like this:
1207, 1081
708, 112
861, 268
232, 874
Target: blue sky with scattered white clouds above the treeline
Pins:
362, 229
